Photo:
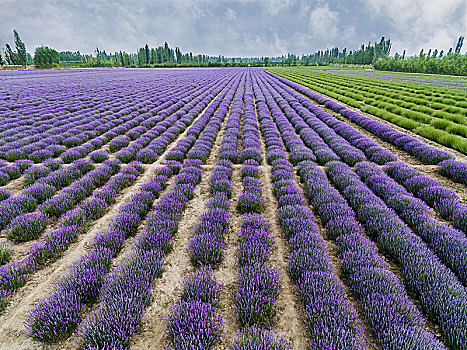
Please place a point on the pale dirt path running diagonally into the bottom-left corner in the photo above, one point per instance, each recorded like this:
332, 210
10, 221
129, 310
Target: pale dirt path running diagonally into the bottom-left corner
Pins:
39, 285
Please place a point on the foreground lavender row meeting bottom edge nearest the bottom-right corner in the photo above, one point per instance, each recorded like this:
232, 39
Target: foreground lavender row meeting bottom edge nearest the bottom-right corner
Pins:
394, 319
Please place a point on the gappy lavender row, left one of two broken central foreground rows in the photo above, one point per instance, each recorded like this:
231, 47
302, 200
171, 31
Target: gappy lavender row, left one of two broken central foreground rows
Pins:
194, 322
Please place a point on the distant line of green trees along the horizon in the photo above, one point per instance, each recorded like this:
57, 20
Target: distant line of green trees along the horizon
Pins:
376, 54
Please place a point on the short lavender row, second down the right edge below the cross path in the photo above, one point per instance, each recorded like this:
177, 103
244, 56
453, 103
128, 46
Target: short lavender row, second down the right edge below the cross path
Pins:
442, 199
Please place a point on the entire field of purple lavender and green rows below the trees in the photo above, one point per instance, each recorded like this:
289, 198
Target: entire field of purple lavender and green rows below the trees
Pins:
233, 208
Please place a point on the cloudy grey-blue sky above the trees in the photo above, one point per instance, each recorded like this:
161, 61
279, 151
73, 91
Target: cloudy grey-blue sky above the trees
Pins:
234, 27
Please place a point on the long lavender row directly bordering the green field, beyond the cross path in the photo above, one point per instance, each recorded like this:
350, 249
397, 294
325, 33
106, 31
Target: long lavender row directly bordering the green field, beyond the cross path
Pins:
415, 147
